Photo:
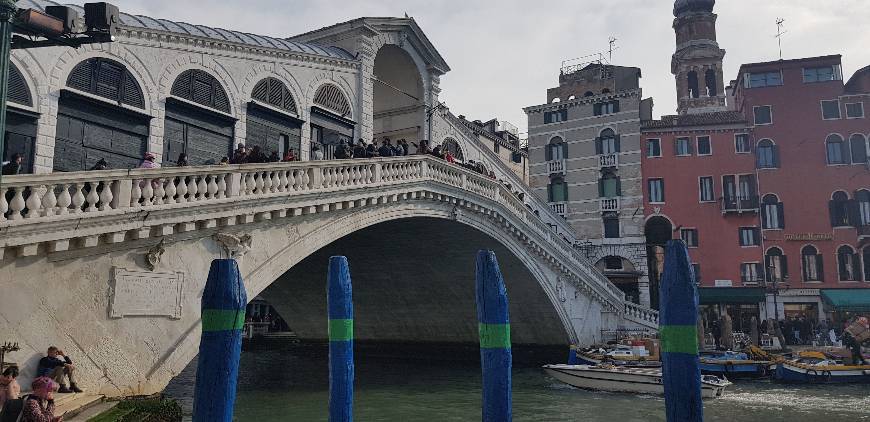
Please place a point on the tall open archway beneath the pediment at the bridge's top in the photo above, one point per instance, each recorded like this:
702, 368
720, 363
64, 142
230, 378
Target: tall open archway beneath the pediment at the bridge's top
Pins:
399, 97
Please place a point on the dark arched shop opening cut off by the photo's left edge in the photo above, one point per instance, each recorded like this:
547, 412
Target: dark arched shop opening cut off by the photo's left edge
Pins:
20, 124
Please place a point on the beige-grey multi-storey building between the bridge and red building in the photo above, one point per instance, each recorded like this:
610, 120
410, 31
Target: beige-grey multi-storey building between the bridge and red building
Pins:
584, 149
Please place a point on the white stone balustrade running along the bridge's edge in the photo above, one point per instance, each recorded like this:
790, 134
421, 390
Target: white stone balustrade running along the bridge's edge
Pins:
53, 197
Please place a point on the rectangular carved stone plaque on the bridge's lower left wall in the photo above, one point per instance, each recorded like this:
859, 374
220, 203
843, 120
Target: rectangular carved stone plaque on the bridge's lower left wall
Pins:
146, 293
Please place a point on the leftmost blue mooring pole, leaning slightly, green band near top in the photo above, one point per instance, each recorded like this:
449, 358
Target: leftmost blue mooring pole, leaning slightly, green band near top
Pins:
223, 317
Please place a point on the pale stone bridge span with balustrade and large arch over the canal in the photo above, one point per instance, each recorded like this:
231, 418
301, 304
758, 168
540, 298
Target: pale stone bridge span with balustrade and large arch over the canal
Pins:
110, 265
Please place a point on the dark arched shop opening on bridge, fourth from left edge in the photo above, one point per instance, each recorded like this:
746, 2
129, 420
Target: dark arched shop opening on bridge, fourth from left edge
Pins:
272, 123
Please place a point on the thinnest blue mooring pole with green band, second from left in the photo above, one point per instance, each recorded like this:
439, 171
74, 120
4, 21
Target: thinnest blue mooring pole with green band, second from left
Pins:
339, 298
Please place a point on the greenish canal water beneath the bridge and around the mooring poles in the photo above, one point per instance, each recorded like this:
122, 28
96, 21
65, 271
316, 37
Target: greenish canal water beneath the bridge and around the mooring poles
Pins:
290, 383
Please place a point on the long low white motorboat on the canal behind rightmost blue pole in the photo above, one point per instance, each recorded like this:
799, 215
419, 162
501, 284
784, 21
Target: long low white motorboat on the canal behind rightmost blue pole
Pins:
627, 380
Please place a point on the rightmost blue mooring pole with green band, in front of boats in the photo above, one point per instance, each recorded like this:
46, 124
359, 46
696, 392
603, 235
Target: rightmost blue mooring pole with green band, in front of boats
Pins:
678, 329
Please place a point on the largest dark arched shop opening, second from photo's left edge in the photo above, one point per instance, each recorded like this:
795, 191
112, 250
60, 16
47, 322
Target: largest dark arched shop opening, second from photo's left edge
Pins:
90, 129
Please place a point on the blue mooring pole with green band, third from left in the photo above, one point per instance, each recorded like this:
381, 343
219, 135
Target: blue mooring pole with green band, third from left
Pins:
495, 339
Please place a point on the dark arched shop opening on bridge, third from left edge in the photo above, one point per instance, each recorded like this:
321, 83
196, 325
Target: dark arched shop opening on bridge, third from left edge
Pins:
199, 124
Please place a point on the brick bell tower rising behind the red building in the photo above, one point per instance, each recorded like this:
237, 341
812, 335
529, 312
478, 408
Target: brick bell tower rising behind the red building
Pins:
697, 62
